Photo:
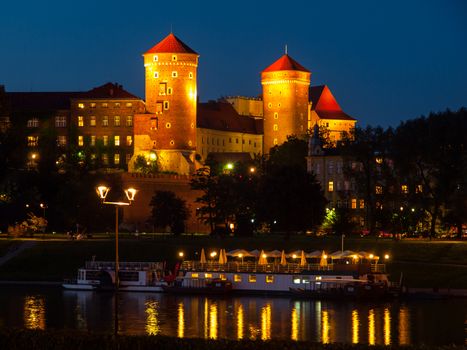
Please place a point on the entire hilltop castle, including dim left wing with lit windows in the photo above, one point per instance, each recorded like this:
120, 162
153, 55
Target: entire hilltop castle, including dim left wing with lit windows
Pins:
110, 127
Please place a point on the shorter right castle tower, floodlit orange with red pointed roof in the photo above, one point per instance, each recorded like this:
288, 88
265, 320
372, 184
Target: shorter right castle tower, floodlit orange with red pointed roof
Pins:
285, 100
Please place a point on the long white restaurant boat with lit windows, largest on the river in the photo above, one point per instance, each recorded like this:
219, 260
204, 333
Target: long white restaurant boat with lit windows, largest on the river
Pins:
343, 277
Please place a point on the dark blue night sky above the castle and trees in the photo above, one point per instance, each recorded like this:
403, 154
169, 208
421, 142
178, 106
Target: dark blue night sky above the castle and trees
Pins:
385, 61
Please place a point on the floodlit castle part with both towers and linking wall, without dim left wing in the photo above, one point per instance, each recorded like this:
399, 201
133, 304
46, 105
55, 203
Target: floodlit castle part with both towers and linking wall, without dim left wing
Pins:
175, 127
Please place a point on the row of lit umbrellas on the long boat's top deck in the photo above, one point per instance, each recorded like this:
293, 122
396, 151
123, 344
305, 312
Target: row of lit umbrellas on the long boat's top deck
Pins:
297, 256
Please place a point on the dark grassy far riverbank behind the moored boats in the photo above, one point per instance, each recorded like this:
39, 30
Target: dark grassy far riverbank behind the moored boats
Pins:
422, 264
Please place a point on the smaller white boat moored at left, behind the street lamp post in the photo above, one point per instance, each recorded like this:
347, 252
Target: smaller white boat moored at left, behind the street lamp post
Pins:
133, 276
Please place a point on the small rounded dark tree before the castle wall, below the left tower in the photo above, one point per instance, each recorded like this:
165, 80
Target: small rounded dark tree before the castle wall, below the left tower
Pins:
168, 210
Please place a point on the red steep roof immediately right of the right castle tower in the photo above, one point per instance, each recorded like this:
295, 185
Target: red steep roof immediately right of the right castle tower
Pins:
325, 105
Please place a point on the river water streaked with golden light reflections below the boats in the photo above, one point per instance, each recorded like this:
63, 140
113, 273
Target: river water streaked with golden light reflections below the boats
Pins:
428, 322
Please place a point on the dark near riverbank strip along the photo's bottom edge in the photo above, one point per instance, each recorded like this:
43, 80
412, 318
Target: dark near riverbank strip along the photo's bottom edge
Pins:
55, 340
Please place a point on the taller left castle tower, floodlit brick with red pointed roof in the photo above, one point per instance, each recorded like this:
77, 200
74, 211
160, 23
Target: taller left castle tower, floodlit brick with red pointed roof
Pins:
168, 129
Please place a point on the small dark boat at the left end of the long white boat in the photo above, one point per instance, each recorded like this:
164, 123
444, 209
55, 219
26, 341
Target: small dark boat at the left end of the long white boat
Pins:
205, 286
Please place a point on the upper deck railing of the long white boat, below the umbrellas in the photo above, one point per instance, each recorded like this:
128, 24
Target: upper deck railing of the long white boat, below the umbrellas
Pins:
253, 267
